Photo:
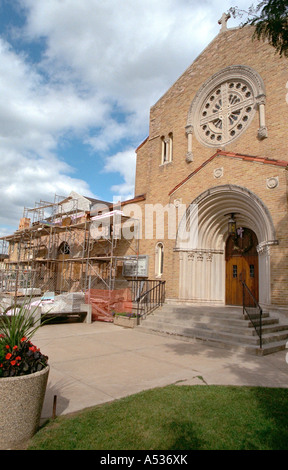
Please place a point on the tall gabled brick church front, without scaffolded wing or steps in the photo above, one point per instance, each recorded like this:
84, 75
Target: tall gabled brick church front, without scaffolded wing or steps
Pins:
218, 144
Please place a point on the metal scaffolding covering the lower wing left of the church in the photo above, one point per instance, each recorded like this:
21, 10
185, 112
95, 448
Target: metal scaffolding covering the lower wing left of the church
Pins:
59, 247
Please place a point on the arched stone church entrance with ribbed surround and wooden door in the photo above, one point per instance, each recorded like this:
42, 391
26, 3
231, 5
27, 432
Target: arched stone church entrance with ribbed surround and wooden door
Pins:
202, 264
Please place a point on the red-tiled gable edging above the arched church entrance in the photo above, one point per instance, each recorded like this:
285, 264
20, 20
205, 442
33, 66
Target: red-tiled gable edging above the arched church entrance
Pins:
222, 153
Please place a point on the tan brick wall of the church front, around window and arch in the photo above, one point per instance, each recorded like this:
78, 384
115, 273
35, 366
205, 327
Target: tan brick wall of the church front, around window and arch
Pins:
164, 183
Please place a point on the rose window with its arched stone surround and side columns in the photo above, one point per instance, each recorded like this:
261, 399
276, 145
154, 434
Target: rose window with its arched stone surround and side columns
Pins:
224, 107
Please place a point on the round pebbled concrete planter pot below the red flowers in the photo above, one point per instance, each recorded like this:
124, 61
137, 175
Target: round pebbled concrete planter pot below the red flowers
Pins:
20, 407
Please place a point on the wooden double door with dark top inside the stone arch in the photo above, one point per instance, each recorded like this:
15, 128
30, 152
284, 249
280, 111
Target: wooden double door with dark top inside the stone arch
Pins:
241, 264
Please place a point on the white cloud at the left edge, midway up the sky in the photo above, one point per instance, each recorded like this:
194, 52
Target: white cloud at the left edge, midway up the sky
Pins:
34, 112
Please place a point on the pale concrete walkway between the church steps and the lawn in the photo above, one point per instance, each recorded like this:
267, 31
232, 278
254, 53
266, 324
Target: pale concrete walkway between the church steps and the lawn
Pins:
99, 362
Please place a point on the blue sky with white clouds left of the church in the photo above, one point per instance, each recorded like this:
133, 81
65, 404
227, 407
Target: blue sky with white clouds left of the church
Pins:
77, 80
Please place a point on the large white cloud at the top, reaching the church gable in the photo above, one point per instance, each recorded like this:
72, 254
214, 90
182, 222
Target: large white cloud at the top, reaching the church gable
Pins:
130, 50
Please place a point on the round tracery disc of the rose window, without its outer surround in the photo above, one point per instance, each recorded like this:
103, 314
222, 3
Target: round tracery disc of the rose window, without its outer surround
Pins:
225, 112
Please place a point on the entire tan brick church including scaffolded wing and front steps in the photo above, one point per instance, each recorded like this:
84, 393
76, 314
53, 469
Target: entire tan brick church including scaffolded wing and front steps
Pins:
208, 224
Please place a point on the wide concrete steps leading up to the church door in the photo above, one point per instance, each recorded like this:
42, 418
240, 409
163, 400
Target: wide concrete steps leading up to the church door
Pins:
224, 327
